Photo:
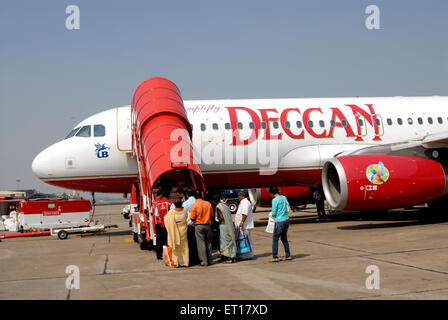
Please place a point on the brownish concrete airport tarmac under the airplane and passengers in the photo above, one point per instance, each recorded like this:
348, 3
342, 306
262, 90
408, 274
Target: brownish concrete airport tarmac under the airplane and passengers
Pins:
409, 247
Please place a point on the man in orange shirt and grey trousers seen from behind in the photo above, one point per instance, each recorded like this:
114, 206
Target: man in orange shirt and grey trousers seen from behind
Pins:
202, 214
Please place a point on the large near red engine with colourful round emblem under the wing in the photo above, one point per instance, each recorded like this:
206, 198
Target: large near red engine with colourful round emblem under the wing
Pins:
376, 182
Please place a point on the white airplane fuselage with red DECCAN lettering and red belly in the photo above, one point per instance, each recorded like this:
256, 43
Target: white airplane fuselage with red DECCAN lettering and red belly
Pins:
277, 141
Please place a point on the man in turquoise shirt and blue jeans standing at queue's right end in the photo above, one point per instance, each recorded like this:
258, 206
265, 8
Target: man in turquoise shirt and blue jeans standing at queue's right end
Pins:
280, 215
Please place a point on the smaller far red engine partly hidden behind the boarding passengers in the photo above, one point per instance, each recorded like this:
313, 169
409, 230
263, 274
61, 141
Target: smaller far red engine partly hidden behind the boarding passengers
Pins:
296, 196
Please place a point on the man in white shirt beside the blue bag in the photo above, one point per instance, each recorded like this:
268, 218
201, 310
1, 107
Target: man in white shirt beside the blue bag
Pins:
244, 222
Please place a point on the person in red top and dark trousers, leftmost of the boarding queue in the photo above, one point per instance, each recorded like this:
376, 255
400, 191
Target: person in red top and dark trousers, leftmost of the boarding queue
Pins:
162, 207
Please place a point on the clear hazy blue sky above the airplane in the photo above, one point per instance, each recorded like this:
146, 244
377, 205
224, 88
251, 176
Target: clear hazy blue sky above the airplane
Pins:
51, 78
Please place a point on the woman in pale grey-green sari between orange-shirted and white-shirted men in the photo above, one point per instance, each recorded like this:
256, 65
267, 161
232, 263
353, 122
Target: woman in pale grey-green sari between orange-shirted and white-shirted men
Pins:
227, 244
